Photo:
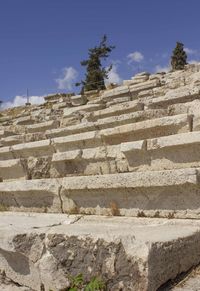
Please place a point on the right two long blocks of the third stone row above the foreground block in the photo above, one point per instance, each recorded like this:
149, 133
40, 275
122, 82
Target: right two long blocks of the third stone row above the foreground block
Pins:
129, 132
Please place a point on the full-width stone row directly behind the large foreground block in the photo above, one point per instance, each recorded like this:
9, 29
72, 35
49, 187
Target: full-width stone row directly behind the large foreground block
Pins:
169, 193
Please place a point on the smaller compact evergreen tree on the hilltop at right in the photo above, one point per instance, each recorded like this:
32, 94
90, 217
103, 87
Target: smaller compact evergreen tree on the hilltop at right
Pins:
179, 57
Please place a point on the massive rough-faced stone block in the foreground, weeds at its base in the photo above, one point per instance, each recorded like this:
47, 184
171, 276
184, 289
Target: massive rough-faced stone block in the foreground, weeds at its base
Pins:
128, 253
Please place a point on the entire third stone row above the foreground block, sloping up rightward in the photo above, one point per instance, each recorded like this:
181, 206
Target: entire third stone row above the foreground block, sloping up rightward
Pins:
124, 133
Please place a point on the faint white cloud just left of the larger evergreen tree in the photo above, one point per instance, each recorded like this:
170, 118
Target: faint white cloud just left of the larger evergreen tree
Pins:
66, 81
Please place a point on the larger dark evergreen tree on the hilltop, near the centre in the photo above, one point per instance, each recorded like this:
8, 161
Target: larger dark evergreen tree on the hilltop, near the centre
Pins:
95, 73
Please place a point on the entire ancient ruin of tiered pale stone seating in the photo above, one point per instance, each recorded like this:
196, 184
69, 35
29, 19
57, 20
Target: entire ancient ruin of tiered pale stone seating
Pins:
106, 184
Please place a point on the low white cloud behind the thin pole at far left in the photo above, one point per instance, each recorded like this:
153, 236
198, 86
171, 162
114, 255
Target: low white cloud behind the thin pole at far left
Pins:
21, 100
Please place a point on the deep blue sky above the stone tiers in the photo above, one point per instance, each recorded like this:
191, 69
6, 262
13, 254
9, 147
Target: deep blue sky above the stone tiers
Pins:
43, 41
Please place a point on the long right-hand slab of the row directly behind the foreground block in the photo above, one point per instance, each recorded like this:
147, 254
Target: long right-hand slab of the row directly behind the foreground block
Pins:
154, 194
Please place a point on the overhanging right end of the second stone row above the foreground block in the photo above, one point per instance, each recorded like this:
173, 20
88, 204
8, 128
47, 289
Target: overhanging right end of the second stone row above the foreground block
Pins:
169, 152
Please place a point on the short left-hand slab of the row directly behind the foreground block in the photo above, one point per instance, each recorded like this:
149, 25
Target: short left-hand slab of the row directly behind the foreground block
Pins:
40, 195
